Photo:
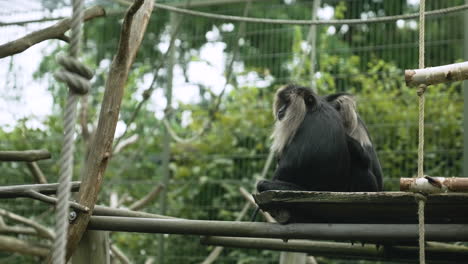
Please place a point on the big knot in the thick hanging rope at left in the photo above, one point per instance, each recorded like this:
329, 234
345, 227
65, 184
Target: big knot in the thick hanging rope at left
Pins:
76, 75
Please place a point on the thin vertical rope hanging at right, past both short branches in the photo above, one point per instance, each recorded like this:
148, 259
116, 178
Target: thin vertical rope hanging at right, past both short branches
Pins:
421, 89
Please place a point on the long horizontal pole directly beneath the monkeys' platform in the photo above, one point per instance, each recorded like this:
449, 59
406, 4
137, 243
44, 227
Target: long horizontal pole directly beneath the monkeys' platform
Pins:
346, 232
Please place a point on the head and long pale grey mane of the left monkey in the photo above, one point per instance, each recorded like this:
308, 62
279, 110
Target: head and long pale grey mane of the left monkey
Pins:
289, 108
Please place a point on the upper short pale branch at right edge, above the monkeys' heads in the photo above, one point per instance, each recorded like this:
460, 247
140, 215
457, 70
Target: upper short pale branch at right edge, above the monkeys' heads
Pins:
435, 75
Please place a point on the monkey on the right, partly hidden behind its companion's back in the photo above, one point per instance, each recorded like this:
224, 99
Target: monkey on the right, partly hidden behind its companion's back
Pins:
355, 127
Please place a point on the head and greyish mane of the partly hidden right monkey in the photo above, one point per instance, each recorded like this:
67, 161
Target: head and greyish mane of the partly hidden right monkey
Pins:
345, 104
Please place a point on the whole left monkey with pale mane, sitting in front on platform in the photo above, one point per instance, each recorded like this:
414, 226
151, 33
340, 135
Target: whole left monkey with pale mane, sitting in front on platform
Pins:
310, 142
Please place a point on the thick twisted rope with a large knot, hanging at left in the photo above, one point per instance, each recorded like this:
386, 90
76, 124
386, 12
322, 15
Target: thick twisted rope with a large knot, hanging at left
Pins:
76, 76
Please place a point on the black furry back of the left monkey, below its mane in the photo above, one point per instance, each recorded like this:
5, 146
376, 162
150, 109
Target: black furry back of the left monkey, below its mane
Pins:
317, 158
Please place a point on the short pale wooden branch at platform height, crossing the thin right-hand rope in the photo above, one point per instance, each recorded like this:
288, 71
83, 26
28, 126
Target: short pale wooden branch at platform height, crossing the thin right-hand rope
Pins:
434, 184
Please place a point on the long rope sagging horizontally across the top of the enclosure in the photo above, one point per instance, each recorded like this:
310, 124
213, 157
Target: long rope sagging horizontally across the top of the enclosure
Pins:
303, 22
